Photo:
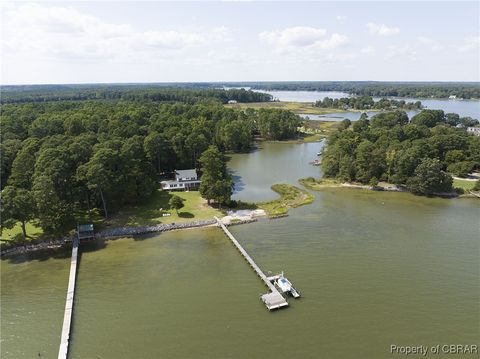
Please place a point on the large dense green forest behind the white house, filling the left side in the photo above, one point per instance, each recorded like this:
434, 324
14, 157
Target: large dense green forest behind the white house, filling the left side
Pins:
59, 158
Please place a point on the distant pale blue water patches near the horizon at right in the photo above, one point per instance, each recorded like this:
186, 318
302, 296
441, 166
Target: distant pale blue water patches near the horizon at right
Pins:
462, 107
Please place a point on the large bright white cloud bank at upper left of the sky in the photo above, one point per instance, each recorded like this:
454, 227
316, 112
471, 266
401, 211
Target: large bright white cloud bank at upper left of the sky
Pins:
55, 32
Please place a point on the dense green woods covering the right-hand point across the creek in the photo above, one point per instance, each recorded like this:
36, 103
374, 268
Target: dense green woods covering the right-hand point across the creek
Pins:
417, 153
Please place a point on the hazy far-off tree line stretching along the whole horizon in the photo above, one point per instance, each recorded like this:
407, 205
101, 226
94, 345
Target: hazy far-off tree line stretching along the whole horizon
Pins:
169, 91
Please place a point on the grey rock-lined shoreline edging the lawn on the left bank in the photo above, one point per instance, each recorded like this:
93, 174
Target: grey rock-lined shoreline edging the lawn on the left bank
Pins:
114, 233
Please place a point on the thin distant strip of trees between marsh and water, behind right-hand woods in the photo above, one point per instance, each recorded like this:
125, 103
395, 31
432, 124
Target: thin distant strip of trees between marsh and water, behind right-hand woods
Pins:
367, 103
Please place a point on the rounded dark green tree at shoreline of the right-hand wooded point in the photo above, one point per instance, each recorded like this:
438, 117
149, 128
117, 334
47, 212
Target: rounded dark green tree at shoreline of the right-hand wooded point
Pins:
429, 178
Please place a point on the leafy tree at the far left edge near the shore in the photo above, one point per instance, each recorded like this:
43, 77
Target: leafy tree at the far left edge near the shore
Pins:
17, 205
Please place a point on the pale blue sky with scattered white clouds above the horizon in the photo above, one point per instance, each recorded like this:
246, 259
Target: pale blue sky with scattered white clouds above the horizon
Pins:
83, 42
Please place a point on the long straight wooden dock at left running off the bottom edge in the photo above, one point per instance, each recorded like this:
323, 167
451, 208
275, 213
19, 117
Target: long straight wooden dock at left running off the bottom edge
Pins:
67, 318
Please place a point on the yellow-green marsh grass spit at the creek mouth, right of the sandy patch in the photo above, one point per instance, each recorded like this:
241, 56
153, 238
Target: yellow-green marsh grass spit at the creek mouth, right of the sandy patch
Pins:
290, 197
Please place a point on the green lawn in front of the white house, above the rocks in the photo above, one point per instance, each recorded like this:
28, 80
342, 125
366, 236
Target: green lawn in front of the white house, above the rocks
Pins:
195, 208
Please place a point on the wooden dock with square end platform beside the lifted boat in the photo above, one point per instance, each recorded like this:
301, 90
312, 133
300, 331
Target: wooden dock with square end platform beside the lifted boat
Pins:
272, 300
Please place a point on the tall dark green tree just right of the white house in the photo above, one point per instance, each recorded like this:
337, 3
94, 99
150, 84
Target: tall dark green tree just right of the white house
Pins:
216, 182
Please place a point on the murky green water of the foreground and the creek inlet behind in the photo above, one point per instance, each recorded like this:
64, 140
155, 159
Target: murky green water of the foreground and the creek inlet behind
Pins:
374, 269
